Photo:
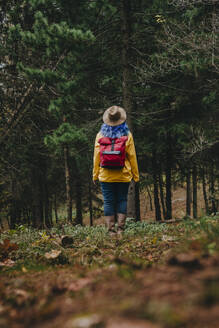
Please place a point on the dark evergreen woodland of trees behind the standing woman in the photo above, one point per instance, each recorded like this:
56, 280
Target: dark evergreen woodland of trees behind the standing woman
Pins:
62, 63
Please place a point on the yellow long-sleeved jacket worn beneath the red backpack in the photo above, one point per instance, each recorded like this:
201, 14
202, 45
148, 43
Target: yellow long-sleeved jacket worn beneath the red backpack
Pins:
126, 174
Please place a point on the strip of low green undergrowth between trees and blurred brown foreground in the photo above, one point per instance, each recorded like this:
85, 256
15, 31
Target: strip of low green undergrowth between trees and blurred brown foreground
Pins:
142, 243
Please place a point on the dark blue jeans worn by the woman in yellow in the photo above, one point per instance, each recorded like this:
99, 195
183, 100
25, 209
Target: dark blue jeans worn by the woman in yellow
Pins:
115, 197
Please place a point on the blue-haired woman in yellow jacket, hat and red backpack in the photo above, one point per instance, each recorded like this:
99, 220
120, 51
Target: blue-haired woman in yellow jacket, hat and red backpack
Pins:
114, 178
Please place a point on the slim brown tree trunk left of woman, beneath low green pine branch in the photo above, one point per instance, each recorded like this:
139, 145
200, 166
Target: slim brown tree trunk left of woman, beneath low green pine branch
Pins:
68, 181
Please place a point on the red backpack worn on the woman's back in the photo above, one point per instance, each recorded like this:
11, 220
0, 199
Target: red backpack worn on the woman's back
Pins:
112, 152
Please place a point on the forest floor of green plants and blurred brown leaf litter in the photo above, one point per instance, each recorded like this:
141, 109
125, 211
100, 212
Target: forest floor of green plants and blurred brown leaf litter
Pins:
155, 275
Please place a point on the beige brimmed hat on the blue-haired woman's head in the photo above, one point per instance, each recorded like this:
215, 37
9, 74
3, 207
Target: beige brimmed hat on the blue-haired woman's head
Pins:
114, 115
